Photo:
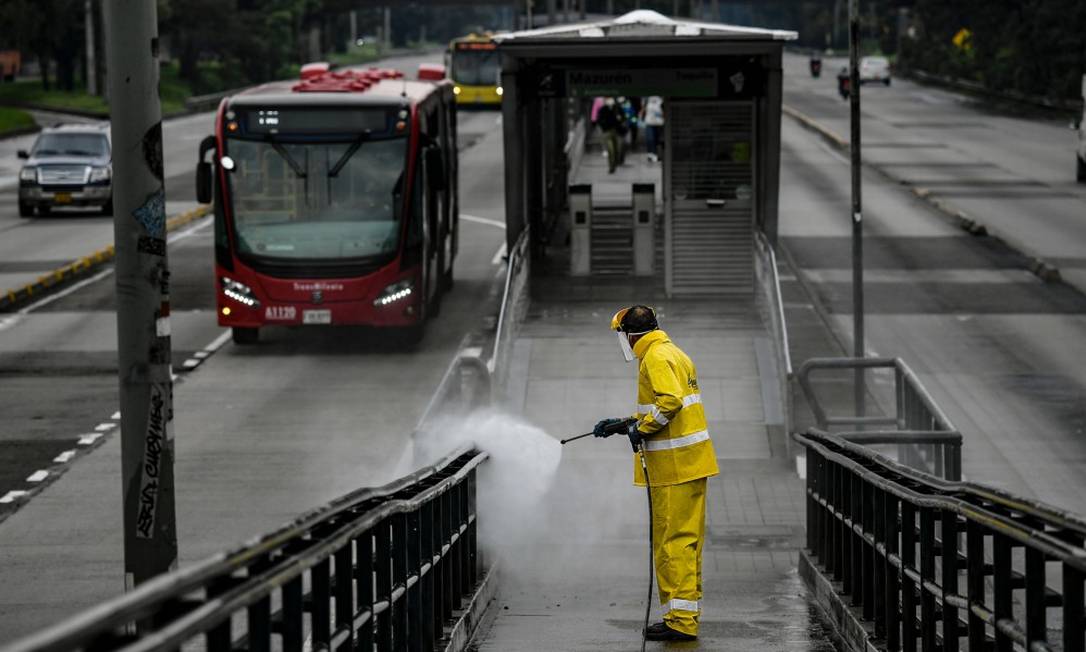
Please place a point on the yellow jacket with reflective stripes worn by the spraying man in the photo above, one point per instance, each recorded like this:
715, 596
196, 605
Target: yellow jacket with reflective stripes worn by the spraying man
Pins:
671, 416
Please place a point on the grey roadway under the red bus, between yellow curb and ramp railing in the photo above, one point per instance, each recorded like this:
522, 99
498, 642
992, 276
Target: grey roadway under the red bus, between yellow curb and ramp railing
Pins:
263, 433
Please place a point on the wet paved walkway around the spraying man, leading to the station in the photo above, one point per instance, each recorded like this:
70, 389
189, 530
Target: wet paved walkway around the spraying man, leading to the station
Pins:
575, 572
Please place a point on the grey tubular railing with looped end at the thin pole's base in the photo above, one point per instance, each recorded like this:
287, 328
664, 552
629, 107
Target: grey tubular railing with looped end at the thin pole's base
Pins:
926, 437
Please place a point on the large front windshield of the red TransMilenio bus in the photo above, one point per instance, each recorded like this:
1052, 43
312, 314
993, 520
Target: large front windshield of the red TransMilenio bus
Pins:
318, 200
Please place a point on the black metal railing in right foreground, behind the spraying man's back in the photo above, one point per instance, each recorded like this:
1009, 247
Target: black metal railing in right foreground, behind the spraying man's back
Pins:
932, 562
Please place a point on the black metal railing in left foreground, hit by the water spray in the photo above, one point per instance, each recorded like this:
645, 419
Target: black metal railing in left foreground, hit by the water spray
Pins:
381, 569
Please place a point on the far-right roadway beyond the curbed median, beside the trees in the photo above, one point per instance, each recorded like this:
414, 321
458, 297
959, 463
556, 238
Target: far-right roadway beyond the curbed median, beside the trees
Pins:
1015, 175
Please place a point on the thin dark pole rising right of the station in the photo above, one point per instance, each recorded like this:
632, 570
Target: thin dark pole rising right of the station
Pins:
854, 104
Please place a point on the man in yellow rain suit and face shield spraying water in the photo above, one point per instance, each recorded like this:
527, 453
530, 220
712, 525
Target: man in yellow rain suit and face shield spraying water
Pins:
680, 459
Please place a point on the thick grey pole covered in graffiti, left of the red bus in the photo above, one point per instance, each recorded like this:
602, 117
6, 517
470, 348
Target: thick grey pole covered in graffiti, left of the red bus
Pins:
143, 283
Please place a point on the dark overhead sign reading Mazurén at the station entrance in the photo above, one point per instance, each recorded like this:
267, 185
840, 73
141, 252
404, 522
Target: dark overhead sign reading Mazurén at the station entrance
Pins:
676, 83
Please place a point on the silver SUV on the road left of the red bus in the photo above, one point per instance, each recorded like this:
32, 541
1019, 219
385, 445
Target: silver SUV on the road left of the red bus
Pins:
69, 166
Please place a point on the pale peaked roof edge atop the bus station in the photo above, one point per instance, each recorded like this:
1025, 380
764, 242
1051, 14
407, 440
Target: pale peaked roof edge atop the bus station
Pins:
643, 26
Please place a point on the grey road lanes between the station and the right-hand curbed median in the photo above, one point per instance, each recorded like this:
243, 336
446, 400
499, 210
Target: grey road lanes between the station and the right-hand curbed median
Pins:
1003, 353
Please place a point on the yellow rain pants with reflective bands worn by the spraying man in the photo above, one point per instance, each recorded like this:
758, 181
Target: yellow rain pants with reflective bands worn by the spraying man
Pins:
678, 537
